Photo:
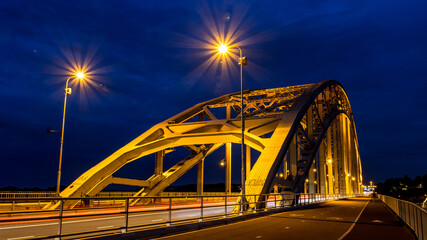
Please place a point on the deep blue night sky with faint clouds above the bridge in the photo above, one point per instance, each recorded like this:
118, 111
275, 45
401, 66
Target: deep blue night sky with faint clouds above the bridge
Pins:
147, 68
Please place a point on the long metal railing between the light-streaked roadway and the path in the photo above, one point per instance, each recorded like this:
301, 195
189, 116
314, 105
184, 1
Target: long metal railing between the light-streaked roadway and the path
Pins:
167, 211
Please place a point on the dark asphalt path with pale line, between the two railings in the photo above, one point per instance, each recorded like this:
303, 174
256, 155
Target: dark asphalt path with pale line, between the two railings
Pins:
357, 218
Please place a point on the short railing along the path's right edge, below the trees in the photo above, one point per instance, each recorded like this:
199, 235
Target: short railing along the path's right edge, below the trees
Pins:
414, 216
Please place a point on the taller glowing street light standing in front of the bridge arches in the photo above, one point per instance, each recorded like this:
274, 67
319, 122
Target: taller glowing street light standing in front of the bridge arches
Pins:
223, 49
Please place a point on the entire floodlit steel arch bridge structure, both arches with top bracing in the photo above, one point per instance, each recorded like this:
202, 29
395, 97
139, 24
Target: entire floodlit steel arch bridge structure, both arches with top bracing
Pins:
305, 136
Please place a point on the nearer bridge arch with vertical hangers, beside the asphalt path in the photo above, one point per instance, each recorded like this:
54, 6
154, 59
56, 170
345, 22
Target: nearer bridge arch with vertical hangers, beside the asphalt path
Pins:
323, 121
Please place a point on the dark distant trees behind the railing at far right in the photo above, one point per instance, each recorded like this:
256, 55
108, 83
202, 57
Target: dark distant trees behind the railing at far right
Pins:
406, 188
